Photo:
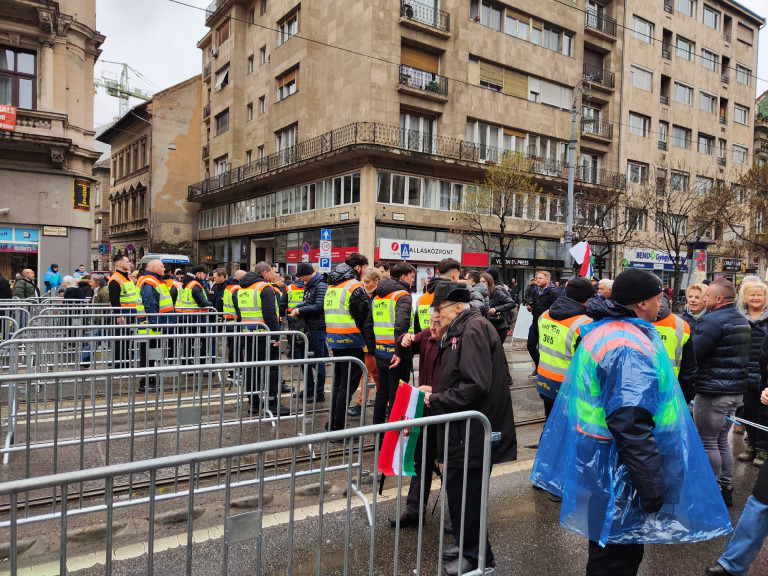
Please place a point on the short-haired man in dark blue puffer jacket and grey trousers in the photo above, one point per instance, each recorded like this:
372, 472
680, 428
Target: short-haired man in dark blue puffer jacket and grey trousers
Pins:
721, 340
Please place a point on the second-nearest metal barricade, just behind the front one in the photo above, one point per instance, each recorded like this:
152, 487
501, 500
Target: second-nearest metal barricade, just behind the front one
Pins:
72, 420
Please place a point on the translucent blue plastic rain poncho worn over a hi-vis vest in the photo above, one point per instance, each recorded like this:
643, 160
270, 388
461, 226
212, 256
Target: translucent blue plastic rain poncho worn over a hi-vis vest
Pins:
621, 367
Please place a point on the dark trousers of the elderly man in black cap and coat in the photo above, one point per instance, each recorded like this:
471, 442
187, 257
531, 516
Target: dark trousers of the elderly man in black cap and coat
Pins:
454, 479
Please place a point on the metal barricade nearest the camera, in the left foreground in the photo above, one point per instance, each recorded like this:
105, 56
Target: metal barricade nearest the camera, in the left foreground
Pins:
228, 521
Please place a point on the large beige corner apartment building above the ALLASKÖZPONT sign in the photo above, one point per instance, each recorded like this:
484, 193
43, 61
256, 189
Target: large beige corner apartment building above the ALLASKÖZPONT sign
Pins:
374, 119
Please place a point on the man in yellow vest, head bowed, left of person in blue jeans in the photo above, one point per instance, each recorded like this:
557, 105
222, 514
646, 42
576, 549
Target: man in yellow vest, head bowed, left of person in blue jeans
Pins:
257, 305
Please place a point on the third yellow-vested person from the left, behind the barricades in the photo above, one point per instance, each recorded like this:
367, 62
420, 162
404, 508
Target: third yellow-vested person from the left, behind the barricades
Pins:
192, 304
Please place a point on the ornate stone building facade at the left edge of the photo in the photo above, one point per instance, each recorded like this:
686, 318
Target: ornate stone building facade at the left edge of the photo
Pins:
47, 53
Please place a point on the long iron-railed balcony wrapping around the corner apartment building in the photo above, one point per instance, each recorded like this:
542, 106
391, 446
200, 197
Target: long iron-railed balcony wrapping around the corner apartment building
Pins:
365, 135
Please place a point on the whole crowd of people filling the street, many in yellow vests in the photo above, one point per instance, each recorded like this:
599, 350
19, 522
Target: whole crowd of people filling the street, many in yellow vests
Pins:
639, 401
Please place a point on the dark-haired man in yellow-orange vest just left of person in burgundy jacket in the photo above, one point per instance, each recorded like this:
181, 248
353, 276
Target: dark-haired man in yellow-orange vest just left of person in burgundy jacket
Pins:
391, 314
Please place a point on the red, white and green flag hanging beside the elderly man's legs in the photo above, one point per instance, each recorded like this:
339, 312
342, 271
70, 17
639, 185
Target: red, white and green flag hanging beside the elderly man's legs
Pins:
399, 446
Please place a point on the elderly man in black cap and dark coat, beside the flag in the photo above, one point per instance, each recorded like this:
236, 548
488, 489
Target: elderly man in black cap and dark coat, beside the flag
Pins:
473, 375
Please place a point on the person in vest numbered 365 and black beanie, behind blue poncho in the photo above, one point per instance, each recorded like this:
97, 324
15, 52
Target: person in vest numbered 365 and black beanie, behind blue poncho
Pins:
559, 335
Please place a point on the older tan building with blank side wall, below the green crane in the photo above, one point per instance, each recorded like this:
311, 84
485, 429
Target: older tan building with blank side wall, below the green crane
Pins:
152, 147
